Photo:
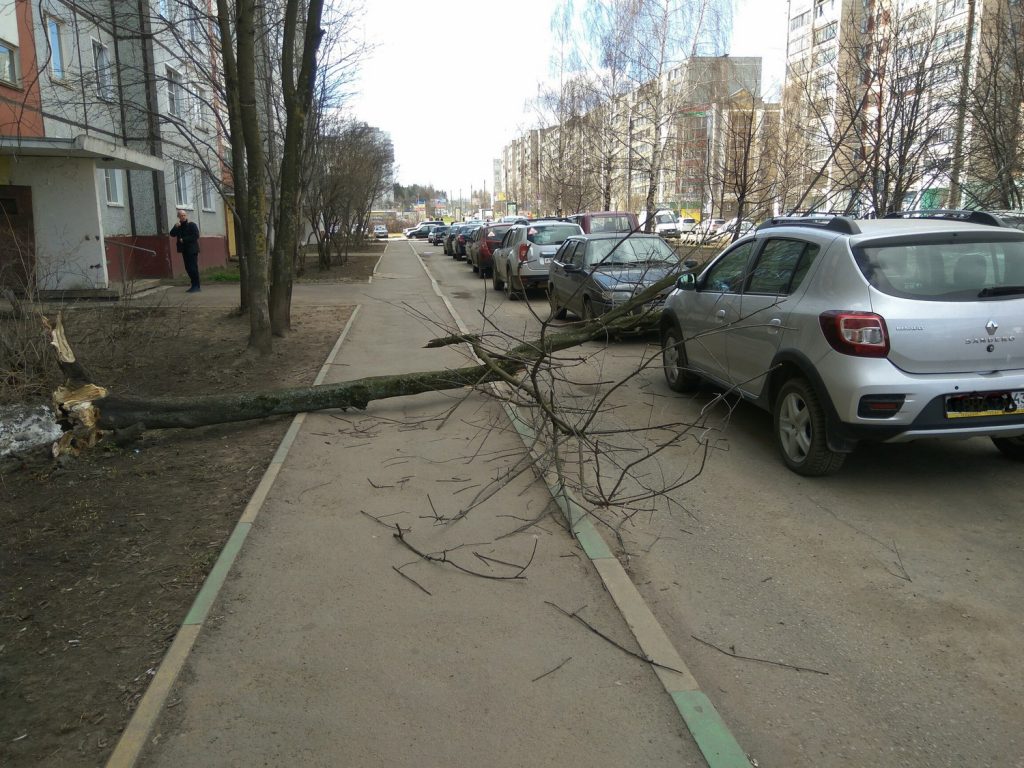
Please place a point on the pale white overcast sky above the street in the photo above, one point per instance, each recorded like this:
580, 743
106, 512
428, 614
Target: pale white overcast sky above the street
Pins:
450, 80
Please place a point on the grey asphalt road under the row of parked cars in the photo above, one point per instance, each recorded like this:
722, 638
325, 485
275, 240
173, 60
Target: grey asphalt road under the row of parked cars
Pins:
870, 619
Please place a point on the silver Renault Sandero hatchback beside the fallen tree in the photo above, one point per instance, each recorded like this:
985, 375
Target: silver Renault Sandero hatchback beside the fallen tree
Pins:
861, 330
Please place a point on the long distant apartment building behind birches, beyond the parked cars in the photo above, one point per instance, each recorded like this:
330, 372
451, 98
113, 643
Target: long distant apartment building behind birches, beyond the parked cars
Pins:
673, 134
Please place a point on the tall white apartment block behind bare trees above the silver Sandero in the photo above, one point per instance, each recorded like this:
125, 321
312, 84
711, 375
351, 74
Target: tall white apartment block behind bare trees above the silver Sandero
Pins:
879, 102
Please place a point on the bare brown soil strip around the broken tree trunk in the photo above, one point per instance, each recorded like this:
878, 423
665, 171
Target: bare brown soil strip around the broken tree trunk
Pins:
104, 554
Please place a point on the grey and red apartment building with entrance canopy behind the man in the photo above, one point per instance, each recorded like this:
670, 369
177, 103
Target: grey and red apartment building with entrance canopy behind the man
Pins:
108, 123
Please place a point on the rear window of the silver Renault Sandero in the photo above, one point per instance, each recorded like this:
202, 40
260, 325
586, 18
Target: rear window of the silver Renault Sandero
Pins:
946, 271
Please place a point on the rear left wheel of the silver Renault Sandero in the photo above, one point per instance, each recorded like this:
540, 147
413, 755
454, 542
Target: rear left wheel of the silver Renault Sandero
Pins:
799, 423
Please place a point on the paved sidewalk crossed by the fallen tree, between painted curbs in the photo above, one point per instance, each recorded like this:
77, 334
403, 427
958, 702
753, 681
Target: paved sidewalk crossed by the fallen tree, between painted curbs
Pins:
316, 651
